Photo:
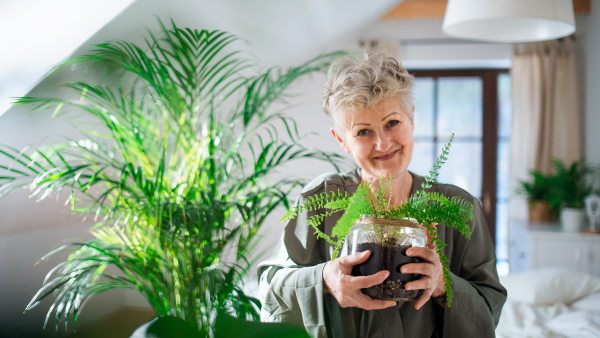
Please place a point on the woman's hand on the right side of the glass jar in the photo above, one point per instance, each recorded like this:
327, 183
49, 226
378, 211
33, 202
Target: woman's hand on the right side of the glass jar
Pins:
432, 281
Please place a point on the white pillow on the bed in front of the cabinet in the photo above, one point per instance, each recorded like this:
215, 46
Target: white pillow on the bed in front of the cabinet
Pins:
549, 286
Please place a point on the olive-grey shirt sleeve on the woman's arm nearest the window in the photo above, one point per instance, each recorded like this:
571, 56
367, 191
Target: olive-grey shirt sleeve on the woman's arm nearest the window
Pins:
478, 296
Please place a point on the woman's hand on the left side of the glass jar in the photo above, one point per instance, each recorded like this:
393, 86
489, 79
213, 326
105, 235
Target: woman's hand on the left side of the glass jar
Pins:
345, 288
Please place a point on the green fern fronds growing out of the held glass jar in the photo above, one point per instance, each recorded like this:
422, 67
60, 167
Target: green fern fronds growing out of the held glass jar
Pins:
428, 208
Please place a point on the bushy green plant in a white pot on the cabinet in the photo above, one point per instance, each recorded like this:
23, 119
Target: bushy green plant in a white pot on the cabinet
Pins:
570, 186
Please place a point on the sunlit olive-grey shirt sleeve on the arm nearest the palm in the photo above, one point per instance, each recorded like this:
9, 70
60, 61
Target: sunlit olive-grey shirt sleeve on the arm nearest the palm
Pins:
291, 282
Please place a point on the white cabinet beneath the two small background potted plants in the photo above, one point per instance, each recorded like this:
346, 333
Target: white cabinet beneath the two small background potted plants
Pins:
546, 245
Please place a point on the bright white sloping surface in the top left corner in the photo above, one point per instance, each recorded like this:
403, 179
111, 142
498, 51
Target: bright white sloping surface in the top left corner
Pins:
21, 63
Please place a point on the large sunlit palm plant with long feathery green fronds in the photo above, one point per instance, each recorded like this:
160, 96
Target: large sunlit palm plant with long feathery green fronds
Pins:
176, 170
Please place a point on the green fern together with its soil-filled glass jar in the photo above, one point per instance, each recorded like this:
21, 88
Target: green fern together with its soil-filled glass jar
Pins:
370, 222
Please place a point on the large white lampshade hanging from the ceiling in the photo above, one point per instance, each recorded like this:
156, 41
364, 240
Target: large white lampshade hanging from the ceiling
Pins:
509, 20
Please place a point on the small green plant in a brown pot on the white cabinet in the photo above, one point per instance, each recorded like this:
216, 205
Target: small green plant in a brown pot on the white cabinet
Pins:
539, 195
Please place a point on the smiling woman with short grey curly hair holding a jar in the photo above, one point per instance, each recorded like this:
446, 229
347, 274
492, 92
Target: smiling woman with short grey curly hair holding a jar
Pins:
369, 103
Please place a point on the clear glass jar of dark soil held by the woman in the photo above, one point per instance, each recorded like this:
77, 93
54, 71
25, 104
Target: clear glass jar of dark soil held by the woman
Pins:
387, 238
